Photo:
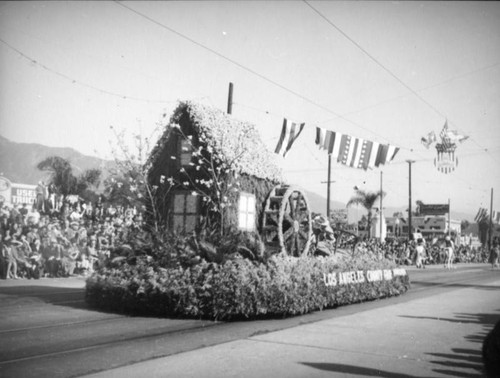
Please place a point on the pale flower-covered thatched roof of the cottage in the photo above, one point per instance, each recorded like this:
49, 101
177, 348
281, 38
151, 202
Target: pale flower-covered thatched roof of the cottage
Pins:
234, 142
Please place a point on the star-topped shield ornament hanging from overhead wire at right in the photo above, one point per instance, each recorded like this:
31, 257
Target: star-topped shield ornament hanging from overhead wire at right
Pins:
445, 161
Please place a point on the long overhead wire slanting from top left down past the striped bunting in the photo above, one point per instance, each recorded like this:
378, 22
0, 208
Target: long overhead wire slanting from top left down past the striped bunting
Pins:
253, 72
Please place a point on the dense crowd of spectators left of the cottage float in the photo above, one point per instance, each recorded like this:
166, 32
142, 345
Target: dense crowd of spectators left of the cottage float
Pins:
59, 241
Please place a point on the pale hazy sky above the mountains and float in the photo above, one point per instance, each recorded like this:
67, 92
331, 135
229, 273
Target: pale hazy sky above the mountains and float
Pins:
390, 72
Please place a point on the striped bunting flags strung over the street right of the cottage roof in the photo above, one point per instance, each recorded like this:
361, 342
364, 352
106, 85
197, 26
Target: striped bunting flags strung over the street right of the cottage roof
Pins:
347, 150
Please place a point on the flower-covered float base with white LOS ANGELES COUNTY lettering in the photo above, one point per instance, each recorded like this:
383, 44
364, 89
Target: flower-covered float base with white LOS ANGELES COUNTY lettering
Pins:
283, 286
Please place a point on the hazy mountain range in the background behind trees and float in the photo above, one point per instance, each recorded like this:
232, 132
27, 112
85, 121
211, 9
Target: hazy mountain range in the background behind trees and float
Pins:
18, 163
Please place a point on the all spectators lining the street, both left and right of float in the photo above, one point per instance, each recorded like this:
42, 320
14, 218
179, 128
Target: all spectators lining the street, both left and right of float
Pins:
44, 240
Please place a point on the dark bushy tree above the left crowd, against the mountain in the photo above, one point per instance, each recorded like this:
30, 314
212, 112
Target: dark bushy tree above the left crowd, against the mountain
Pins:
65, 182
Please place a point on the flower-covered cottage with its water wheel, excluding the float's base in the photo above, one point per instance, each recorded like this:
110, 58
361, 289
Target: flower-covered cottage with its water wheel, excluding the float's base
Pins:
214, 171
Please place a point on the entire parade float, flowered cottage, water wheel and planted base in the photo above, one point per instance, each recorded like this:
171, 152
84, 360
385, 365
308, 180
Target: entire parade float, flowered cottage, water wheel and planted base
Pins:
236, 239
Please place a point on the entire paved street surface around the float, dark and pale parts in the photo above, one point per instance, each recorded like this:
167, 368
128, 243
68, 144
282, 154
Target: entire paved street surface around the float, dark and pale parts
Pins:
435, 330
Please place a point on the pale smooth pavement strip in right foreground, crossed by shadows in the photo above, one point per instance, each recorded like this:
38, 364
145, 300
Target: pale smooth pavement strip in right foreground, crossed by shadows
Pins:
437, 336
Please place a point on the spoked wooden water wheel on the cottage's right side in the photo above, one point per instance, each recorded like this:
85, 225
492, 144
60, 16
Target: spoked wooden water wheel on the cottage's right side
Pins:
287, 224
